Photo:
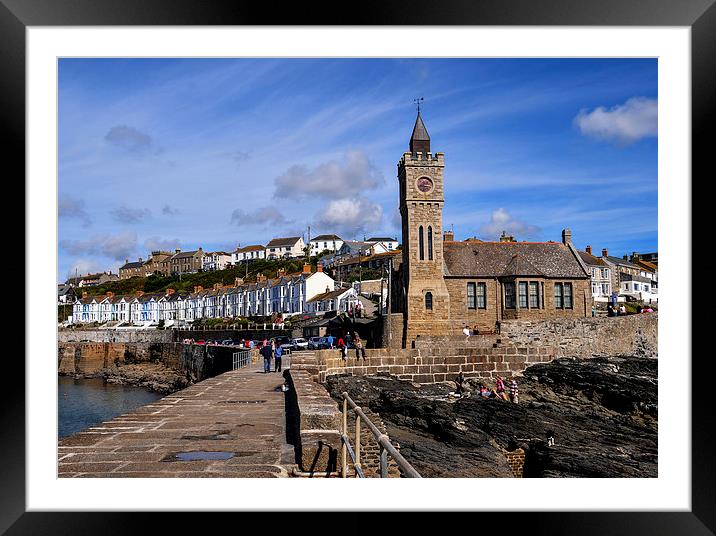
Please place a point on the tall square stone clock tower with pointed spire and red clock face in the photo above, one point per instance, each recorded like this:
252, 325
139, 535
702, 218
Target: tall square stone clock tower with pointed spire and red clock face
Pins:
420, 175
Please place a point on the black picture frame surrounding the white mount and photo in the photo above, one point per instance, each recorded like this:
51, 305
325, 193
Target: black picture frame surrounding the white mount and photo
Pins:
699, 15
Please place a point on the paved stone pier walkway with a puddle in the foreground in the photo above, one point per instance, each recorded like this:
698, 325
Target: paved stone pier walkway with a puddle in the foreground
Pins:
238, 416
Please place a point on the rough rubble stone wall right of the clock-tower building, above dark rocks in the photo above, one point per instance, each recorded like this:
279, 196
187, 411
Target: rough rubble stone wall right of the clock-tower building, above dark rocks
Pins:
634, 335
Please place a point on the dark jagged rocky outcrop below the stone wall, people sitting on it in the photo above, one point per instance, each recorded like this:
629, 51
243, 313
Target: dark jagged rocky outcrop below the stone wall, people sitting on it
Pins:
602, 413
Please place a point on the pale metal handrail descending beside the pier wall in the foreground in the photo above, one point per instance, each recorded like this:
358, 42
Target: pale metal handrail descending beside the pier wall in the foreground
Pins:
384, 443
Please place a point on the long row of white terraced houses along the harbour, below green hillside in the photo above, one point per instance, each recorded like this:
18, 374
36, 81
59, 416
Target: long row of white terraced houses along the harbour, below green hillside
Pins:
286, 295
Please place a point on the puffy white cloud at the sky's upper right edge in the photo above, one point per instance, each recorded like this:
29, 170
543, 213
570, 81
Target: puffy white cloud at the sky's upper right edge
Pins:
625, 123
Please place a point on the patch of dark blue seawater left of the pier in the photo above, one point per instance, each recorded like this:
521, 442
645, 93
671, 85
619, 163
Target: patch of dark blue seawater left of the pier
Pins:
88, 402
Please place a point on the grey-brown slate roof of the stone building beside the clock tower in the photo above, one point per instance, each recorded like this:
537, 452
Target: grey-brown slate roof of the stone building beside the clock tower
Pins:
497, 259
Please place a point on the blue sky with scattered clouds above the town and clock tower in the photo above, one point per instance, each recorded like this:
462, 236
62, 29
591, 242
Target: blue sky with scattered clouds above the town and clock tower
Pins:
165, 153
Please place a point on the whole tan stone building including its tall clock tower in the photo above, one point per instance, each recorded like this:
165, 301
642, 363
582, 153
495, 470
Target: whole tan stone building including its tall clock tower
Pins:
442, 285
